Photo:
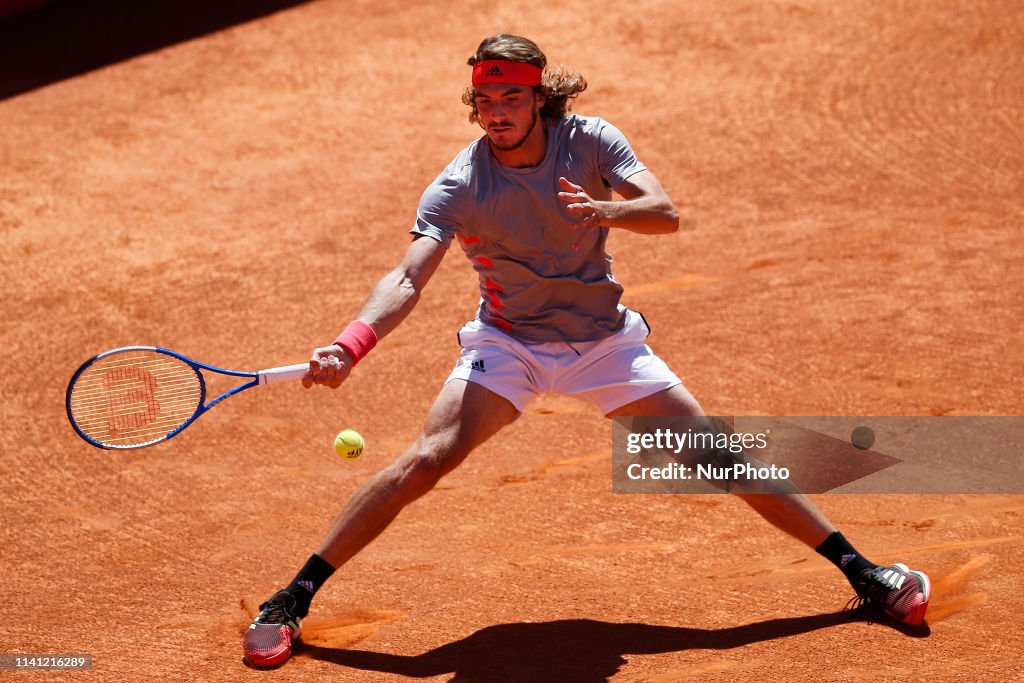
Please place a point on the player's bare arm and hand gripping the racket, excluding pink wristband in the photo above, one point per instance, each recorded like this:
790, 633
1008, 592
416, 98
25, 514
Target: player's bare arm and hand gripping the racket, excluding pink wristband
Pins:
391, 302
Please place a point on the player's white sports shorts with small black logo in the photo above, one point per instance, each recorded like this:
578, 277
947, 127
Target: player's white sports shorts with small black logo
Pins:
611, 373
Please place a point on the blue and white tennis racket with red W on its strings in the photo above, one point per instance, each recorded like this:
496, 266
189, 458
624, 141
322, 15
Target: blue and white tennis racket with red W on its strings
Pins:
136, 397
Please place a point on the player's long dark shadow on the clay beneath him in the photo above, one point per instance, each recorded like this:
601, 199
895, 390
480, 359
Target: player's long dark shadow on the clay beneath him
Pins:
572, 651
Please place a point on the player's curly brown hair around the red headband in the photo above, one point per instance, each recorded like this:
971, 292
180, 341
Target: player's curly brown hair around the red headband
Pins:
558, 86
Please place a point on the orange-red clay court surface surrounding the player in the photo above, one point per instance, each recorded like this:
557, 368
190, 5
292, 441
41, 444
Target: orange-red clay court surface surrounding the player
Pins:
850, 175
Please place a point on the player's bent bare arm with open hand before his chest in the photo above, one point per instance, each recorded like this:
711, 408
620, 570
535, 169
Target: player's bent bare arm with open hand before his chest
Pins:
646, 207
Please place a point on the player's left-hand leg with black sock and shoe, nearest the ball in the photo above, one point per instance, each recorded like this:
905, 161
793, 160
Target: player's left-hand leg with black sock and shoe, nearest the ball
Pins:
464, 416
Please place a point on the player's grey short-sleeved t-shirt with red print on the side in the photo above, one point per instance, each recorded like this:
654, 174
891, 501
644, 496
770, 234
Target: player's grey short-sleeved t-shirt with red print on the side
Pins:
520, 238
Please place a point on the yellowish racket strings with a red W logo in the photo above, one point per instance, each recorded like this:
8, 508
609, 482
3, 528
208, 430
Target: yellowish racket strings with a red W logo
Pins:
135, 398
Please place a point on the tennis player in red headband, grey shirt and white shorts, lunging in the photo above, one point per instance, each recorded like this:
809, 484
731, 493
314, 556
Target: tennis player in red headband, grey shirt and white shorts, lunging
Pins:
531, 205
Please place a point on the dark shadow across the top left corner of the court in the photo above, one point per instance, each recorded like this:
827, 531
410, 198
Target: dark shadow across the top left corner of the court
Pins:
67, 38
